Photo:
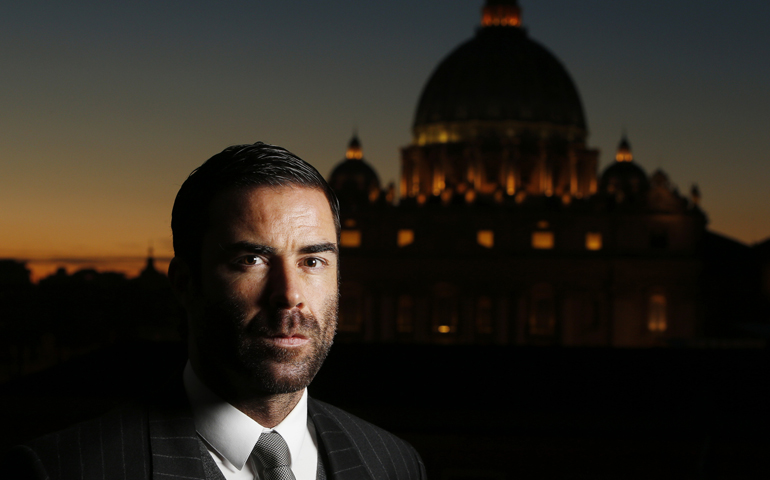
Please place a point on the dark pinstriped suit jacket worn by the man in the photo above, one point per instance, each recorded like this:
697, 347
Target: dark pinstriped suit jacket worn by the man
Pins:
160, 443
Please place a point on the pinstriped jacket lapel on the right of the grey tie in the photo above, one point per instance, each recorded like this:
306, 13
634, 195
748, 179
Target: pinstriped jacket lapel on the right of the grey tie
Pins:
341, 457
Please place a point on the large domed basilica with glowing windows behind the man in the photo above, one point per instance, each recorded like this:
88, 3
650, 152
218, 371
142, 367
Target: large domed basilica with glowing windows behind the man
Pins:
504, 231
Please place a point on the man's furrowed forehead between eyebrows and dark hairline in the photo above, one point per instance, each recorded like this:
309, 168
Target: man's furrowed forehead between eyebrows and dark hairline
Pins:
268, 208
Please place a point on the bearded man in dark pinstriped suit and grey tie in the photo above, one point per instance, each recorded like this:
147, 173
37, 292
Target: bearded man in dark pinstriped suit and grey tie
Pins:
256, 270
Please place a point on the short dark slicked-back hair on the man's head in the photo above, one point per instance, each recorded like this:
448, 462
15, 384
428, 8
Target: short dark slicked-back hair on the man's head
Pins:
239, 166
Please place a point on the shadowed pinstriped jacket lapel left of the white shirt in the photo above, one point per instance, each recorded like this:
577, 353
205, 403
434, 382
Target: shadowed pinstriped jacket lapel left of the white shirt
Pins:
174, 444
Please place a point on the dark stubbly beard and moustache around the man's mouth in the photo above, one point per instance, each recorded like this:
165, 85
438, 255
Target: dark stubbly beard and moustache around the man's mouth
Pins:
241, 345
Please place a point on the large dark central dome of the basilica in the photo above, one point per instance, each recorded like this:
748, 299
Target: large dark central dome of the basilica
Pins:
500, 75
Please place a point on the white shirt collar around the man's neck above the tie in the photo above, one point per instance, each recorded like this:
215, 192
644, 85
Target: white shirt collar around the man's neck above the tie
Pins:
231, 432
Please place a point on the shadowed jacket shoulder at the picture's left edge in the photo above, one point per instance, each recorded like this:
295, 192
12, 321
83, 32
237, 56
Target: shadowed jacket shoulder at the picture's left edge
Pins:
115, 442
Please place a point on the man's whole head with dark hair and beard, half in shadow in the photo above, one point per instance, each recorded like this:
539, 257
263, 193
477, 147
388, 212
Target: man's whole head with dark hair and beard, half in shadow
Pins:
256, 268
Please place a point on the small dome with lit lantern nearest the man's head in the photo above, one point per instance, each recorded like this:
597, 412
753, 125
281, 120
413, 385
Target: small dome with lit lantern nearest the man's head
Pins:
354, 179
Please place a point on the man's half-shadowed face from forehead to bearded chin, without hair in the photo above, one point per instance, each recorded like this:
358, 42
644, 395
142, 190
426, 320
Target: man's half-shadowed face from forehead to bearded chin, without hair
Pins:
265, 309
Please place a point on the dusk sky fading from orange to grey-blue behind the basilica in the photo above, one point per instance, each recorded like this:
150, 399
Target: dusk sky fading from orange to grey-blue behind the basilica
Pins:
106, 107
